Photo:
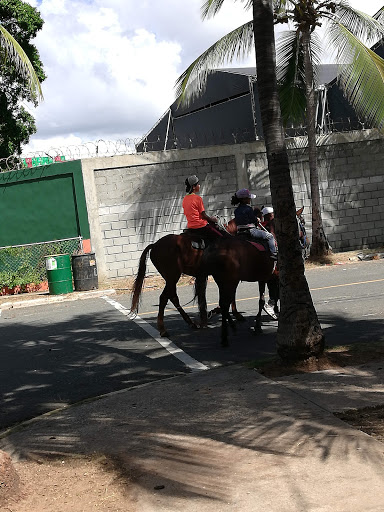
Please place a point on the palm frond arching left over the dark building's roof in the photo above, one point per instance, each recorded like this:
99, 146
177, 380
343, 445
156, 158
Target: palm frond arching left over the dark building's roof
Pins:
235, 45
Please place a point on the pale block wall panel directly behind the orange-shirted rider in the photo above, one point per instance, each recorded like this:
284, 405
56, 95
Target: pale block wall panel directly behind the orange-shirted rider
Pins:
138, 204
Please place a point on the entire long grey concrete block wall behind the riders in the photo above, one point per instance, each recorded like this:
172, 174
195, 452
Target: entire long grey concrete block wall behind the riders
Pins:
134, 200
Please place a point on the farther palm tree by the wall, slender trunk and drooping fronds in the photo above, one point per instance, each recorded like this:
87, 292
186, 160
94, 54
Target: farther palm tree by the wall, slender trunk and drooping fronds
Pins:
361, 73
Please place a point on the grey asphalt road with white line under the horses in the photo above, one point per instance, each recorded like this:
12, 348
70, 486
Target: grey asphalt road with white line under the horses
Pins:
58, 354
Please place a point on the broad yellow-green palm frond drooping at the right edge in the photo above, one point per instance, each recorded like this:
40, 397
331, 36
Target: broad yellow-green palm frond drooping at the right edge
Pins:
361, 76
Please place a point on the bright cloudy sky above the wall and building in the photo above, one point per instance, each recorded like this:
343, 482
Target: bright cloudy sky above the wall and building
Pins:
112, 65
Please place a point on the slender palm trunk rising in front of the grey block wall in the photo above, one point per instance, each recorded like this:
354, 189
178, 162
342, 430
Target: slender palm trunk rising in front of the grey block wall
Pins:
320, 246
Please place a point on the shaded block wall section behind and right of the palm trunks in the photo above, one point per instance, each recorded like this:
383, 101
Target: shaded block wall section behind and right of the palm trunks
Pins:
351, 180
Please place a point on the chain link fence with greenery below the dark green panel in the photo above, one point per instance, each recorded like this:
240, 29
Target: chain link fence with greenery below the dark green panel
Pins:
24, 264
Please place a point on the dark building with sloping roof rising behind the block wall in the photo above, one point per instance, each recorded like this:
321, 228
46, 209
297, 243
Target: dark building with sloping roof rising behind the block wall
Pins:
228, 112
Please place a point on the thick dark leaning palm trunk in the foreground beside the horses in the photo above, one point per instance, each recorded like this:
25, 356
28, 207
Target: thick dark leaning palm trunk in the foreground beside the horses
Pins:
299, 334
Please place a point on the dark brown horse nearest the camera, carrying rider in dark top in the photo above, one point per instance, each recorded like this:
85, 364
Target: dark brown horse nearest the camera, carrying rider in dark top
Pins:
230, 261
